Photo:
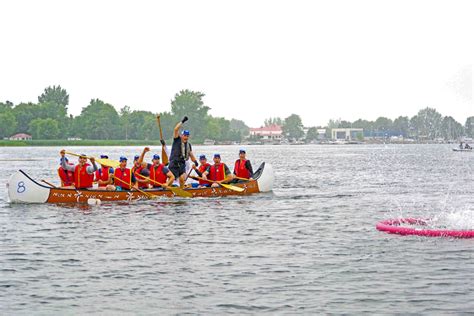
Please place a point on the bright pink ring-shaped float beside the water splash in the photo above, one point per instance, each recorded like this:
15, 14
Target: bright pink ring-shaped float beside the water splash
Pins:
392, 226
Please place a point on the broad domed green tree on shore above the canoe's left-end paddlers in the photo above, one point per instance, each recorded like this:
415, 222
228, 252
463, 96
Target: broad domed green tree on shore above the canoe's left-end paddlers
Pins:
98, 120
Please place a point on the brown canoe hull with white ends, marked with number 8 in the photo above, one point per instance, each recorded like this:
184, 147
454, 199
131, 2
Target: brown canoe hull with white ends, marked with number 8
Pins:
24, 189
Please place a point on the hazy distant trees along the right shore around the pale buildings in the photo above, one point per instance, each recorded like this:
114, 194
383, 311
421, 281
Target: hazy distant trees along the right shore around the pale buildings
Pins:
426, 124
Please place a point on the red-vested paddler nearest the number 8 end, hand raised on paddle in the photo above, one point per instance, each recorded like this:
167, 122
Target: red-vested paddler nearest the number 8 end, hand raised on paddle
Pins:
83, 172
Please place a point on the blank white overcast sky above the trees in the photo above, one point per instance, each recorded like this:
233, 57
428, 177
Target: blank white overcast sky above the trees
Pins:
253, 59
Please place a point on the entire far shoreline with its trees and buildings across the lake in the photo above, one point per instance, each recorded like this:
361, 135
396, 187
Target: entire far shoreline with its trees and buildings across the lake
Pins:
47, 123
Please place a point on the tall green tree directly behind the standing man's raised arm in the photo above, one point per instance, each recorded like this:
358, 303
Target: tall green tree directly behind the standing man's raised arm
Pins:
189, 103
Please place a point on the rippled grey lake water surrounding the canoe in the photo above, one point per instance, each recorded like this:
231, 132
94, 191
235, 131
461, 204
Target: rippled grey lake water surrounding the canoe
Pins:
310, 247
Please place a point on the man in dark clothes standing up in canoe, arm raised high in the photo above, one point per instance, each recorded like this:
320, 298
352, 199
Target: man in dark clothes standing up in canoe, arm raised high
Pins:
181, 151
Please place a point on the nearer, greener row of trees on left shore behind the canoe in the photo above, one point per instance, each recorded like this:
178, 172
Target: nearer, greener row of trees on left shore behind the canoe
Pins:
49, 119
